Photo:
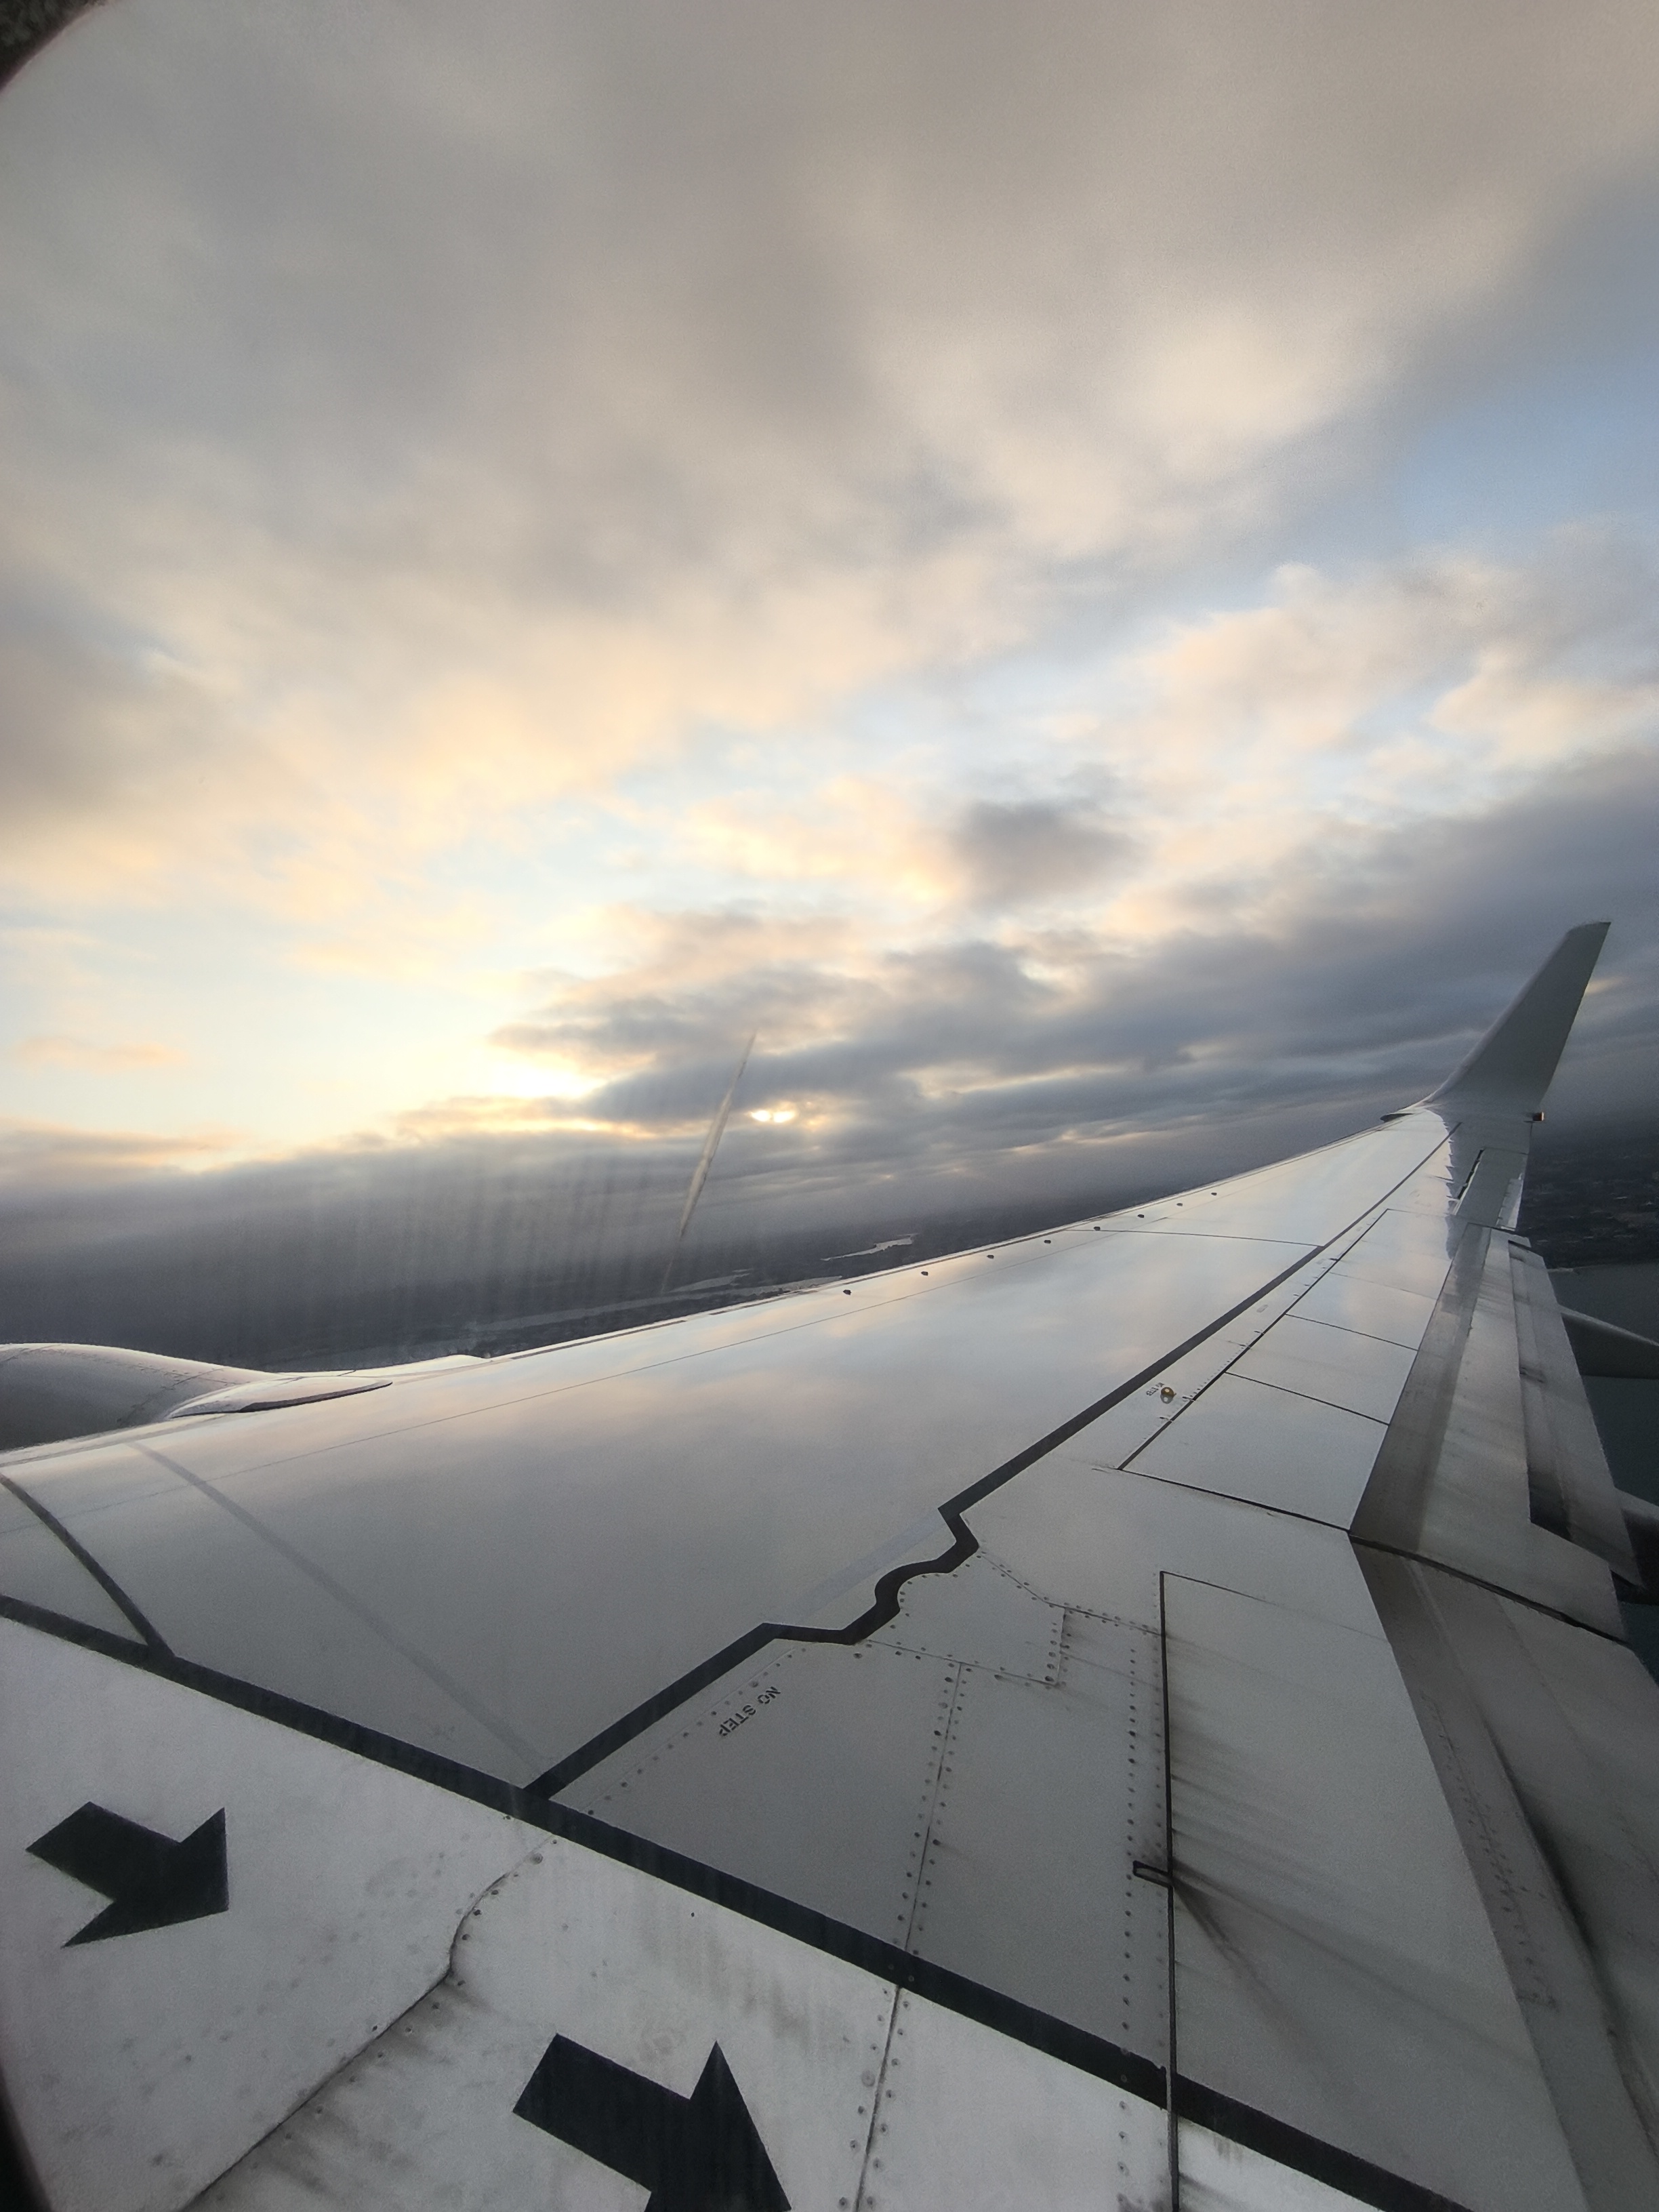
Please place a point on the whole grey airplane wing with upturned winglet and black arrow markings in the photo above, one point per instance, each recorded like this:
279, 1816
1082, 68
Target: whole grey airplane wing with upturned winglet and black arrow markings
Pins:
1129, 1718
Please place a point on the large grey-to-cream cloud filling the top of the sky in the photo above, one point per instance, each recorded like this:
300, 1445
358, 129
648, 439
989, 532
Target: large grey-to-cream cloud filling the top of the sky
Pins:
671, 461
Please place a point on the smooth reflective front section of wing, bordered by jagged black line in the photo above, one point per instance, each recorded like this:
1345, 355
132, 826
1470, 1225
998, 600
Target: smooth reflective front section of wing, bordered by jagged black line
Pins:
503, 1561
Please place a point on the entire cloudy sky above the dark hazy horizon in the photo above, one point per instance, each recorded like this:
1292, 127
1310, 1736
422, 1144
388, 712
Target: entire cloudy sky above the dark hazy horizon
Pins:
1083, 570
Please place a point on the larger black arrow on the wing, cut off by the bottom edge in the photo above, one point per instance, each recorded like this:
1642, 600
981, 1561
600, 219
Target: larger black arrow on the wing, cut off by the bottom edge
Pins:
698, 2153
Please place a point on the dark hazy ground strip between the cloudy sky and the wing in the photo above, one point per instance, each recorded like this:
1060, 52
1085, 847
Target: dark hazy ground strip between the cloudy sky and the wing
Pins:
499, 1244
